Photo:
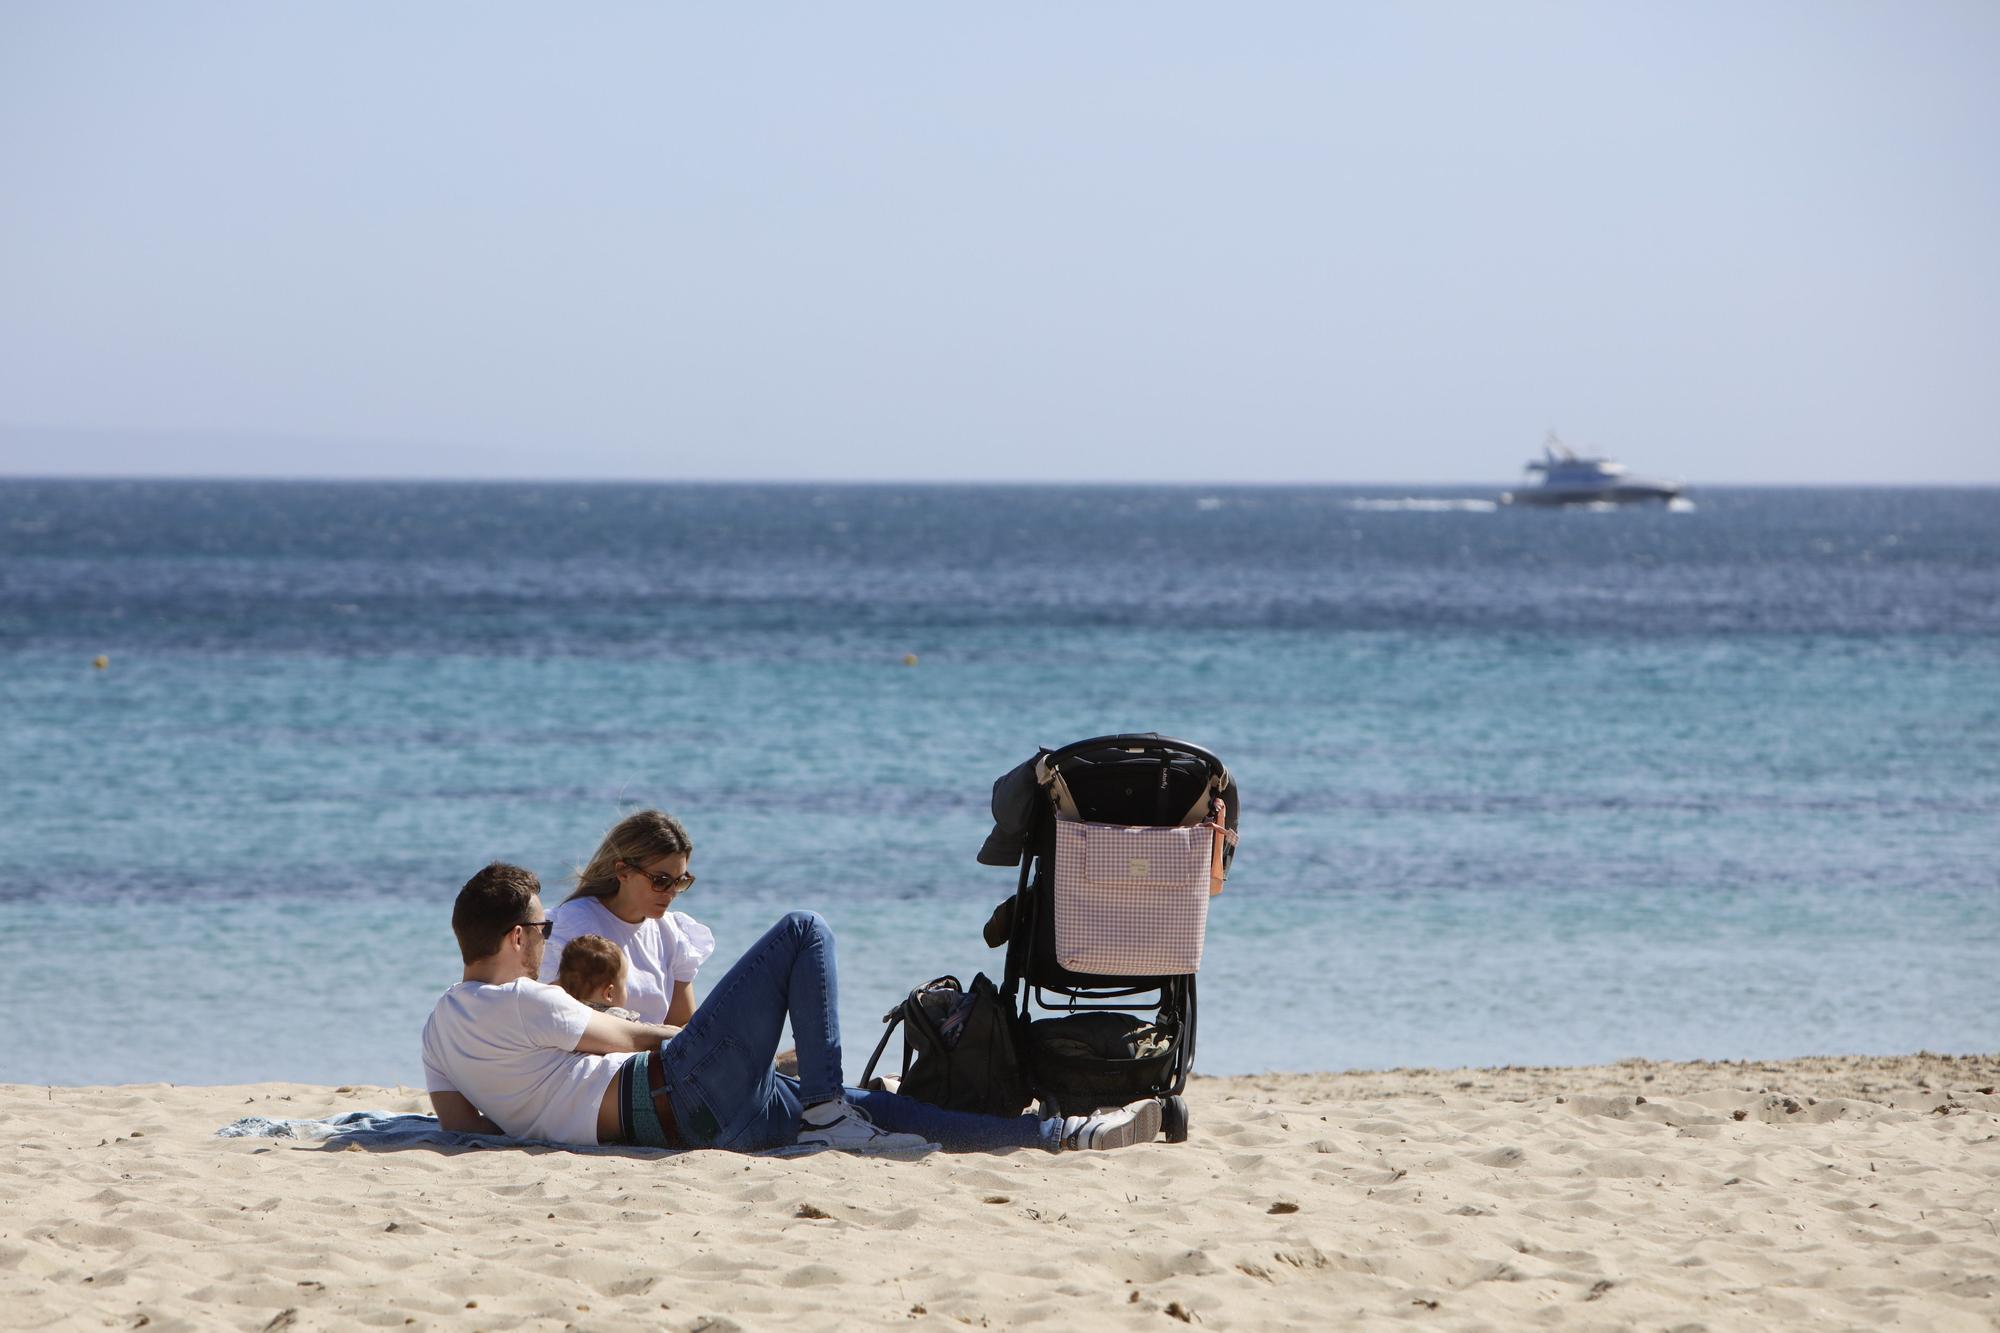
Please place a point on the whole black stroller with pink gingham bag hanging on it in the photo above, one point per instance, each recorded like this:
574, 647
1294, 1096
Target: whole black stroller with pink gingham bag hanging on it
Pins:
1121, 844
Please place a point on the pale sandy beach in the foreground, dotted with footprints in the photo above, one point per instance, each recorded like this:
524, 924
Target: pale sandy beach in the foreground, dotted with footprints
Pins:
1833, 1194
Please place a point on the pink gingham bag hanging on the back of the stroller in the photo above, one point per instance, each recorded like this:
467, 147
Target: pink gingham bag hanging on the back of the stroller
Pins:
1131, 902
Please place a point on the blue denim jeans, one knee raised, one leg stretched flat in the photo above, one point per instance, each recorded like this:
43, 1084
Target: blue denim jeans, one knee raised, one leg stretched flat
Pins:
729, 1096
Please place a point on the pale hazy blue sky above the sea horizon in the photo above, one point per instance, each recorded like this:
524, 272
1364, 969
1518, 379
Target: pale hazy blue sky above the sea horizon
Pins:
1017, 243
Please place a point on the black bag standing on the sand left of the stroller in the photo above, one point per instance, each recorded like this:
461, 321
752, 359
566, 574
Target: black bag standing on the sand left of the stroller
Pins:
957, 1048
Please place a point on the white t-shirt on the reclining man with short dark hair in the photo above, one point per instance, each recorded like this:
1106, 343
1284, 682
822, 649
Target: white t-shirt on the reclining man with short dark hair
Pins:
511, 1052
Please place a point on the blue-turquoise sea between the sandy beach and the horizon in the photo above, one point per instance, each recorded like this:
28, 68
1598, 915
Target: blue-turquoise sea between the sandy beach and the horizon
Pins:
1519, 788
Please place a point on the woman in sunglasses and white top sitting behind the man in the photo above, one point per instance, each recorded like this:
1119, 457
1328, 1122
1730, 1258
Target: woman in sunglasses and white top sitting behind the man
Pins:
625, 894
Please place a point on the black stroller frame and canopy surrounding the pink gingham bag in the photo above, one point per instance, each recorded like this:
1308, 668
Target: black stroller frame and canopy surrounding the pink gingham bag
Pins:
1127, 780
